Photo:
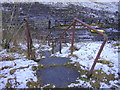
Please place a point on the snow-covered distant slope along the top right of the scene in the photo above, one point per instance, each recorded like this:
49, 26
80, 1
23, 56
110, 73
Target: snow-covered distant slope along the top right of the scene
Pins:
104, 6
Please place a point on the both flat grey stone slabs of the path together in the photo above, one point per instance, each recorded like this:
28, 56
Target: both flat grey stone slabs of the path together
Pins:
56, 72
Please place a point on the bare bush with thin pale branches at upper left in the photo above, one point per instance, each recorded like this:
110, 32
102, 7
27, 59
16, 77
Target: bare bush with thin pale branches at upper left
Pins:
12, 25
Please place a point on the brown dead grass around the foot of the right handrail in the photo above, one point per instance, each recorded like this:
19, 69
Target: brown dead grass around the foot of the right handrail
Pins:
97, 76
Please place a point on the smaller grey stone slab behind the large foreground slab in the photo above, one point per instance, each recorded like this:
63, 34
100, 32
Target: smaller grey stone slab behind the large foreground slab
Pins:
54, 61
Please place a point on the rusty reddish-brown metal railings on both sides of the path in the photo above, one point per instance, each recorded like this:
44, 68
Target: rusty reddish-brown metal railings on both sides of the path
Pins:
62, 37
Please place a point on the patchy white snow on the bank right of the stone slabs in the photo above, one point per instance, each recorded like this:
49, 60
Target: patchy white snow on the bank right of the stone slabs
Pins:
85, 56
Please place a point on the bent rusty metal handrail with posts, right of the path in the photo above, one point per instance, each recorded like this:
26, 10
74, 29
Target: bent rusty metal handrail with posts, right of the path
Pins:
72, 42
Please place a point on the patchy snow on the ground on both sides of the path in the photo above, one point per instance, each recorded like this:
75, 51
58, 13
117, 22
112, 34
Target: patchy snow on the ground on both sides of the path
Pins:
18, 72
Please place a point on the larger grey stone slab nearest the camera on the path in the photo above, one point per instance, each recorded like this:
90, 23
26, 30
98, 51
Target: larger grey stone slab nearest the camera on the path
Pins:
59, 76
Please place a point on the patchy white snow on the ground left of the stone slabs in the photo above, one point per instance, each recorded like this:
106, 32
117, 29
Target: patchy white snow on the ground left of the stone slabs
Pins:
16, 71
